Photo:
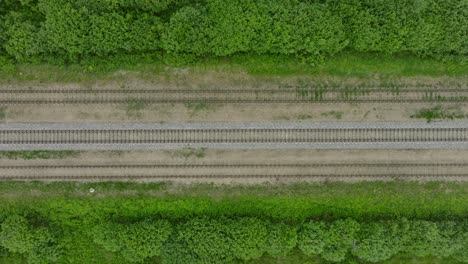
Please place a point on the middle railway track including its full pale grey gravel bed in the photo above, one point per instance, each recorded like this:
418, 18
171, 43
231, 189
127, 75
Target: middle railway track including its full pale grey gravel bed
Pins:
69, 136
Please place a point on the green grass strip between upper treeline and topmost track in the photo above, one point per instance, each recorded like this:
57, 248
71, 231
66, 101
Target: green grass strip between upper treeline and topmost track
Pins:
360, 65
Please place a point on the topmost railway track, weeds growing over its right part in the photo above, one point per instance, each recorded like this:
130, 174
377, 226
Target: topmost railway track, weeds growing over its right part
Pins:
151, 96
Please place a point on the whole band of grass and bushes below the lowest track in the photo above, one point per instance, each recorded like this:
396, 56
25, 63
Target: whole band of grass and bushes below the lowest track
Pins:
122, 223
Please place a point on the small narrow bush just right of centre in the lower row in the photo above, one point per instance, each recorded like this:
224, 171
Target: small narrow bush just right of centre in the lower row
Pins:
281, 239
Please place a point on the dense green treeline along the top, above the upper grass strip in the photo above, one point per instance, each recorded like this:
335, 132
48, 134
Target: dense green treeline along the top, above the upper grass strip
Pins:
68, 30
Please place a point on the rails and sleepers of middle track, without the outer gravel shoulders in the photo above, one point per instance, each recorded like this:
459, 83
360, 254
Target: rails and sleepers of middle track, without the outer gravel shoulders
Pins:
247, 135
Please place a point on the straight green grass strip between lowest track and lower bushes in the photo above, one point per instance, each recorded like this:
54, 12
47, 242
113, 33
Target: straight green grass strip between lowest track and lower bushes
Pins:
367, 200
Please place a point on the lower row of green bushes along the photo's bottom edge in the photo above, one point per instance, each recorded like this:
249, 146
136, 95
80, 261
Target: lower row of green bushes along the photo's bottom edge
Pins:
227, 240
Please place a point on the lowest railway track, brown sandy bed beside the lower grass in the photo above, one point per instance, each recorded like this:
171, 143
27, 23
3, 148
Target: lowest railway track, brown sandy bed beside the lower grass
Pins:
458, 171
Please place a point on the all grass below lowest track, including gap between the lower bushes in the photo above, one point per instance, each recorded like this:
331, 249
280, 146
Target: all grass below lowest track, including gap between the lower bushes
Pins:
74, 210
